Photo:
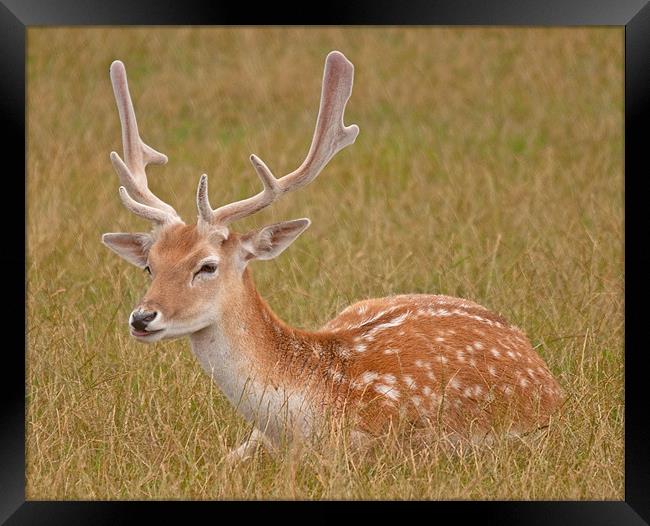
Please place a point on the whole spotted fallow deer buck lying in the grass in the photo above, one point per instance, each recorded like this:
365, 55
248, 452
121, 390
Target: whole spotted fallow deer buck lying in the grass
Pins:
420, 357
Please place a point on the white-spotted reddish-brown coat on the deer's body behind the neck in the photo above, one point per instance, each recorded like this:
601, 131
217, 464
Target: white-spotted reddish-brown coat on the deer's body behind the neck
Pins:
438, 359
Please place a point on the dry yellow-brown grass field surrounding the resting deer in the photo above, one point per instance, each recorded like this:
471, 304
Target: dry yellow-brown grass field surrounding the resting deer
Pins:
489, 166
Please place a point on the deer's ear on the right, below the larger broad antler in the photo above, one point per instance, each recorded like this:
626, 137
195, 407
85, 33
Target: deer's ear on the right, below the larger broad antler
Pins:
270, 241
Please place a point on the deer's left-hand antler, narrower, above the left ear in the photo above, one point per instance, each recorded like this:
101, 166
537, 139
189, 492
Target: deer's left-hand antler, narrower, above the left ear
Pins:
134, 191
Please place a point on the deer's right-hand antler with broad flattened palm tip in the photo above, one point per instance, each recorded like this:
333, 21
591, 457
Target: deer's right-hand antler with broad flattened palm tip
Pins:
330, 136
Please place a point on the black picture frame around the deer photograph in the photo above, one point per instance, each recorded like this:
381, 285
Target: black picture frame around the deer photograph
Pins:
633, 15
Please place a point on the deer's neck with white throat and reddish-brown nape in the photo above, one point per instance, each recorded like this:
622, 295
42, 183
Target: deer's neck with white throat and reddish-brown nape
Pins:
247, 352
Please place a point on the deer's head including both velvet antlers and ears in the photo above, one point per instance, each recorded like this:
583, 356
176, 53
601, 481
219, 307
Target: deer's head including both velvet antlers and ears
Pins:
197, 270
